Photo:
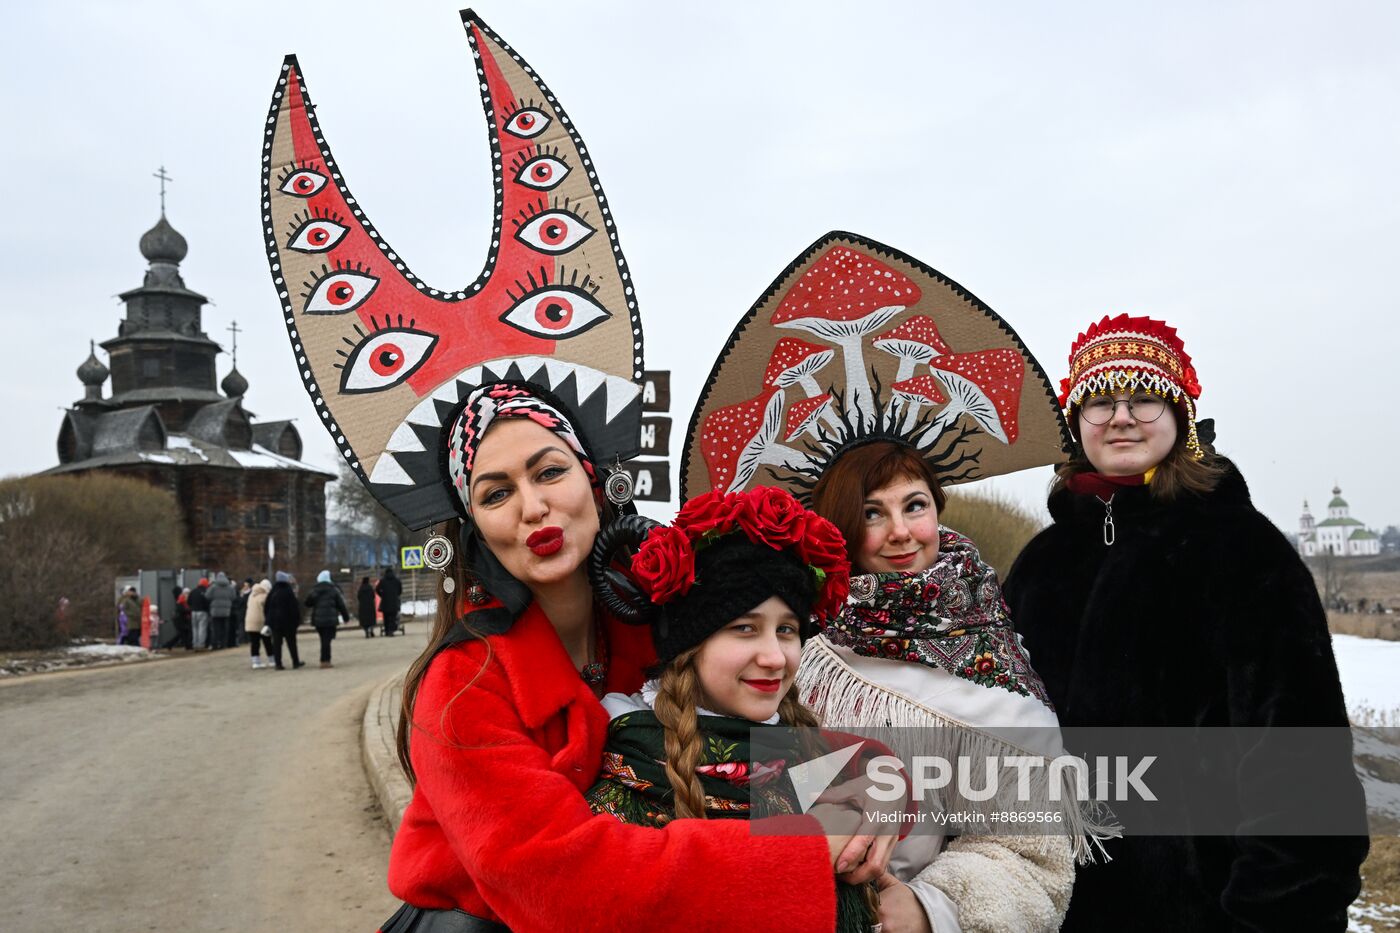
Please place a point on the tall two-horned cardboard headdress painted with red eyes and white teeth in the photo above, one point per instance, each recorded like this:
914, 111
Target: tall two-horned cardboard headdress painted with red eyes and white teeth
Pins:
387, 359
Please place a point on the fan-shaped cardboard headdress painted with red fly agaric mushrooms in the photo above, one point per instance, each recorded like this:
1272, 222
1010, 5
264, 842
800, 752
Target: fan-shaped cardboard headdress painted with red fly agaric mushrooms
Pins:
857, 343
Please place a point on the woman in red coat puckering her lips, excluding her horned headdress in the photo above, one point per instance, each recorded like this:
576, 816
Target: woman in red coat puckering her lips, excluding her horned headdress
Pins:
503, 731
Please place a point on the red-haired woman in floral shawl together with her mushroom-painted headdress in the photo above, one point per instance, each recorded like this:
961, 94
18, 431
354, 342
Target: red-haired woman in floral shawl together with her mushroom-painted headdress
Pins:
932, 389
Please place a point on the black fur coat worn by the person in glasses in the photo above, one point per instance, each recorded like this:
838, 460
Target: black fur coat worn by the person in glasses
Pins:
1199, 616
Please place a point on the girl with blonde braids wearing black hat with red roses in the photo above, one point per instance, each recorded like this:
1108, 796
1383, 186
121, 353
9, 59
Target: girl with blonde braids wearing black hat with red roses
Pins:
731, 588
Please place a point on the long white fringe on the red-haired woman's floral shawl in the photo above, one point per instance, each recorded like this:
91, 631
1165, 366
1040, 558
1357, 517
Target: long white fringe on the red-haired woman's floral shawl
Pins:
842, 698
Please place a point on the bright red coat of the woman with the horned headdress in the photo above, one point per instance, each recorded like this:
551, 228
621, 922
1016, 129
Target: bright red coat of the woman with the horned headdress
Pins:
507, 738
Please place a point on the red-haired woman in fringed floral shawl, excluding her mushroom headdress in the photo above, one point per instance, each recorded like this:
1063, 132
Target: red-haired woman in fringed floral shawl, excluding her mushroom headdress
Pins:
926, 645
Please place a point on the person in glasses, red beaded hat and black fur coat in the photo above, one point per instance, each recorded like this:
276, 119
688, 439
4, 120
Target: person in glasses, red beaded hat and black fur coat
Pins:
1160, 596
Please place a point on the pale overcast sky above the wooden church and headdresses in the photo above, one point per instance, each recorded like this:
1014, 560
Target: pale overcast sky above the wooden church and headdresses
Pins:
1231, 169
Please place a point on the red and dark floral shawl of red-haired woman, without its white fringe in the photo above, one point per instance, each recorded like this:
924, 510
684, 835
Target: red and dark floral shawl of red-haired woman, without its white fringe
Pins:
951, 617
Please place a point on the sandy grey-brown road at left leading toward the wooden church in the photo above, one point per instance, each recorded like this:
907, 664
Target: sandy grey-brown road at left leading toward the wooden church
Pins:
195, 795
